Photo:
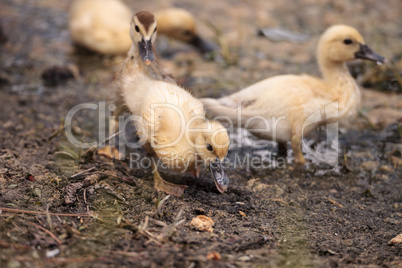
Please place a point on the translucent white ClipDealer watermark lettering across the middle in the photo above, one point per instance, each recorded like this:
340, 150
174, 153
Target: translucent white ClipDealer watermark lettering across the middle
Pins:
266, 126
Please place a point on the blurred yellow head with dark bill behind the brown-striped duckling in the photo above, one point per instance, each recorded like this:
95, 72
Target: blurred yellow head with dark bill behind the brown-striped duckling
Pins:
179, 24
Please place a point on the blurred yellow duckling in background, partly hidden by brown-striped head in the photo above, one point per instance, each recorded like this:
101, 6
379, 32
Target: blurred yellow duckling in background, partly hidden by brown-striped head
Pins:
103, 26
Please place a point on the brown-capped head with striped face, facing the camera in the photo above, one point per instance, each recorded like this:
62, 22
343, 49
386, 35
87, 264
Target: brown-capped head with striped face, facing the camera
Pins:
143, 34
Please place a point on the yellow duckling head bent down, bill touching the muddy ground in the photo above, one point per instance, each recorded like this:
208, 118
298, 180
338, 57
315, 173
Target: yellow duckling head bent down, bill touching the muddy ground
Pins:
212, 145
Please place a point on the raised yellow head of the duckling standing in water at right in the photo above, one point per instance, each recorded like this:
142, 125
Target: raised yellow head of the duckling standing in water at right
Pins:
341, 43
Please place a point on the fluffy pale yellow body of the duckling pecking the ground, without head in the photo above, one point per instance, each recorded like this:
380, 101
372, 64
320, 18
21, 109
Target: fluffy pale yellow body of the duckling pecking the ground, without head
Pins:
161, 113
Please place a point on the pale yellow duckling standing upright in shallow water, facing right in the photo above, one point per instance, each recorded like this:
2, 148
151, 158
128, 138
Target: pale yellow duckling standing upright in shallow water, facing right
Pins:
288, 100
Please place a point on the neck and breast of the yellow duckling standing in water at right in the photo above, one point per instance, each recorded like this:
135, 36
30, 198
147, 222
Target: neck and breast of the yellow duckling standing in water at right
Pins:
342, 87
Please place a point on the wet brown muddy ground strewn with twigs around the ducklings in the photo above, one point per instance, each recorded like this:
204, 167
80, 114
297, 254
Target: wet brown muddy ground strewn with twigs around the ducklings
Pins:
279, 216
